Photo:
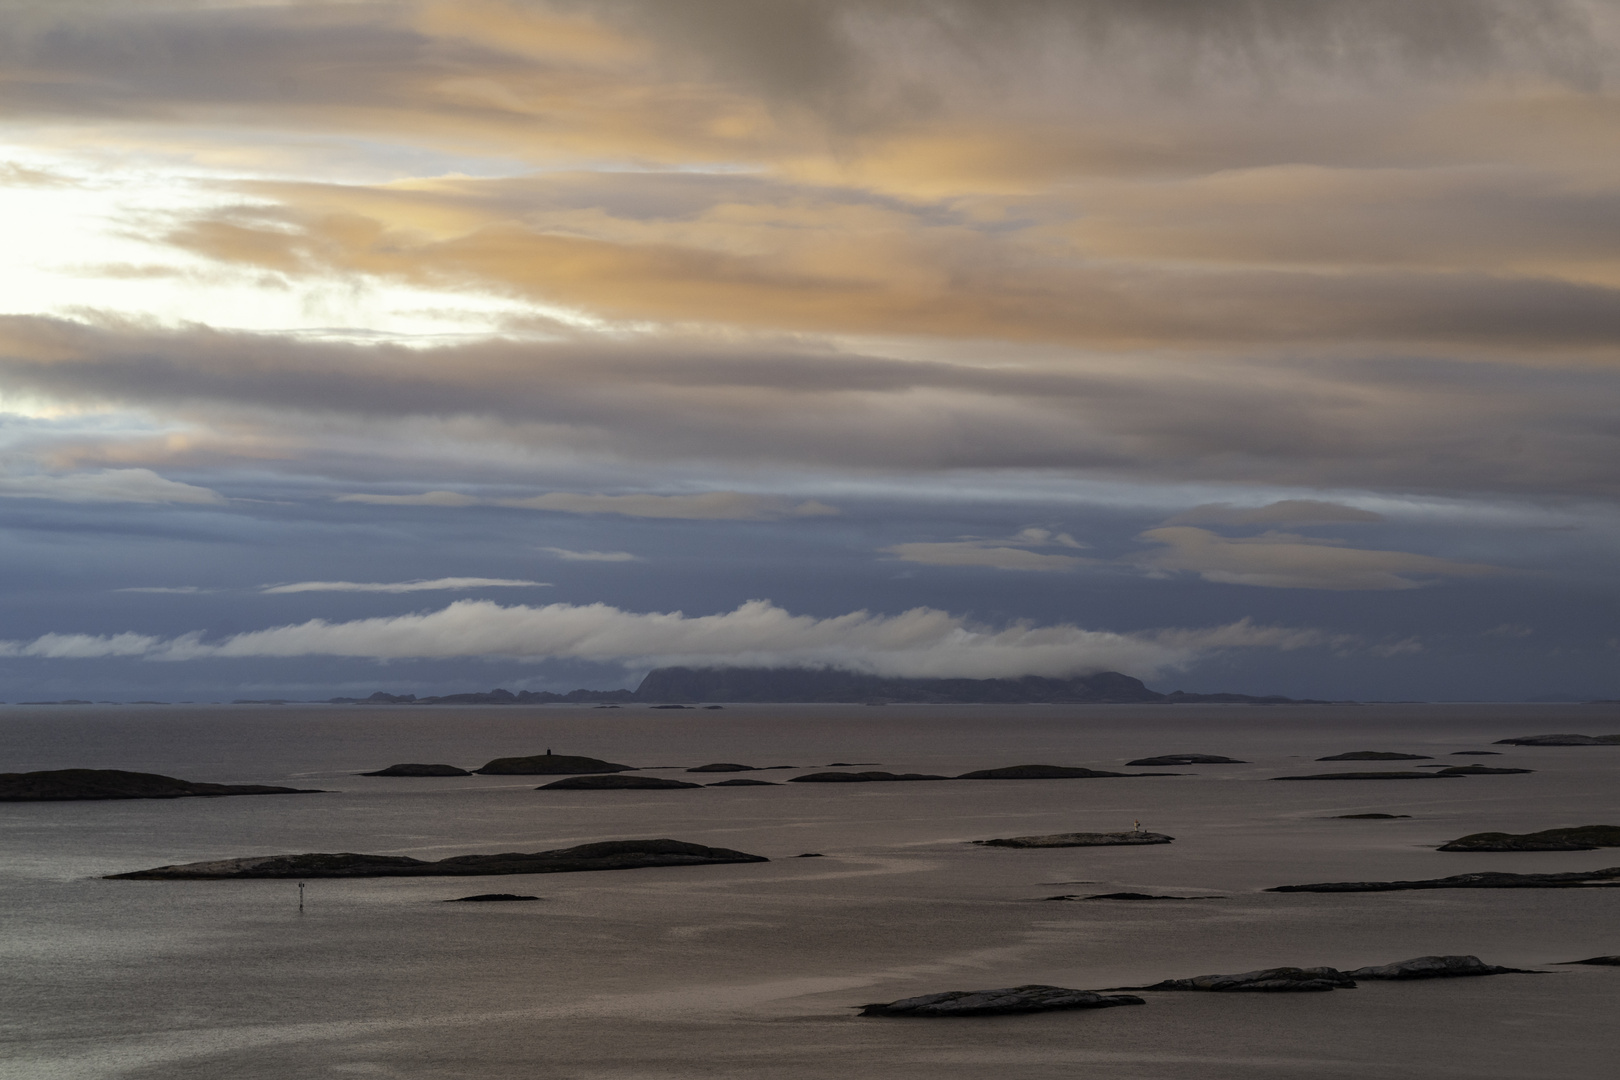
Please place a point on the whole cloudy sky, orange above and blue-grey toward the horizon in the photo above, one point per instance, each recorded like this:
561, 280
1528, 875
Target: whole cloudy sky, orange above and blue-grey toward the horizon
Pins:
1243, 346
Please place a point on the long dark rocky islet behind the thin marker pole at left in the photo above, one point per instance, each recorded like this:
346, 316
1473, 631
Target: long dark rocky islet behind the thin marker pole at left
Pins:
586, 857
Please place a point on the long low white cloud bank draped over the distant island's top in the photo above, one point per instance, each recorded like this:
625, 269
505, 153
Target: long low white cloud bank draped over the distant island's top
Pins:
923, 642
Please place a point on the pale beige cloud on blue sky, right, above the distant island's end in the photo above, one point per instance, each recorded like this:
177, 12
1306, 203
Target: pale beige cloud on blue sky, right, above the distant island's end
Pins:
1284, 561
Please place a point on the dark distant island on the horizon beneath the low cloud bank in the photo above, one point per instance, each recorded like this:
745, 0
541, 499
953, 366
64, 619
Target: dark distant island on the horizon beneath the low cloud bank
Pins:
814, 686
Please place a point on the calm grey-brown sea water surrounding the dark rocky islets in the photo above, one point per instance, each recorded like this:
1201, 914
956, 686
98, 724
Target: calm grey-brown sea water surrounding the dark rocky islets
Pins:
751, 971
